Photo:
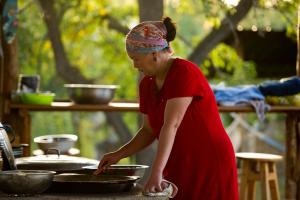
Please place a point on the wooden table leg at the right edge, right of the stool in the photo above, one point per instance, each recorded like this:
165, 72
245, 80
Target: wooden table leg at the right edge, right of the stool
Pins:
292, 169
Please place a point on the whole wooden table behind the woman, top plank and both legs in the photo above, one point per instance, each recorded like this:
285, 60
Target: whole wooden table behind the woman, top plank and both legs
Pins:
292, 157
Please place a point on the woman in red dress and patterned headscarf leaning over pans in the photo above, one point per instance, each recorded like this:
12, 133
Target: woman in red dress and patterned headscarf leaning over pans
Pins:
194, 151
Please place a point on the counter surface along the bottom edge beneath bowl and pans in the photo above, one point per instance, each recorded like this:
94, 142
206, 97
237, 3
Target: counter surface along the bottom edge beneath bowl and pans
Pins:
134, 194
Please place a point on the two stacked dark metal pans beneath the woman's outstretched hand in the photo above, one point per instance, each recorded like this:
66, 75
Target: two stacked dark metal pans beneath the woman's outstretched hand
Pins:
115, 179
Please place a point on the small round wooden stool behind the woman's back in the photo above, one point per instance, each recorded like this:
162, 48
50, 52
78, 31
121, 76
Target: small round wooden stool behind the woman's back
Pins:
259, 167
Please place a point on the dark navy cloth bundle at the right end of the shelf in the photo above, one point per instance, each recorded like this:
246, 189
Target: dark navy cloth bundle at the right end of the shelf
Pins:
287, 87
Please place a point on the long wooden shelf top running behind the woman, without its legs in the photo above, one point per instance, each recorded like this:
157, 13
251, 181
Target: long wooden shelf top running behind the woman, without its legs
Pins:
131, 107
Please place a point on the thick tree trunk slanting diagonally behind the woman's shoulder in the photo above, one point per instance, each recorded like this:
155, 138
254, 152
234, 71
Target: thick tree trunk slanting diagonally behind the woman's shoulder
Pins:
218, 35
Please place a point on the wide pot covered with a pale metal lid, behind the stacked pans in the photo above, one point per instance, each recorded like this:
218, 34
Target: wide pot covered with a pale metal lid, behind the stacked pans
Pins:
58, 163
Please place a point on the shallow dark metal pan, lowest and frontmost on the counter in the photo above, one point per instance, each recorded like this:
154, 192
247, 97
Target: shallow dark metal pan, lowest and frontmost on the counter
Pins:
83, 183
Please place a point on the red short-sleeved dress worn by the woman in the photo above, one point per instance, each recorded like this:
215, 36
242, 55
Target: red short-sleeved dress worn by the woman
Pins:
202, 161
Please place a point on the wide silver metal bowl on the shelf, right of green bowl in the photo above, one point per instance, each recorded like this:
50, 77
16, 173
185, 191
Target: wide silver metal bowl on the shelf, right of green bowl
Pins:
91, 94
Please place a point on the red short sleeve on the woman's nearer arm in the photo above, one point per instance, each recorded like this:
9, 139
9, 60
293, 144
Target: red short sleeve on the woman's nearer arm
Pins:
186, 80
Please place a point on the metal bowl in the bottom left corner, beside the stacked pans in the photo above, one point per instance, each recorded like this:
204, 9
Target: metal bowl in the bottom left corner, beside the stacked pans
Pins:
25, 182
